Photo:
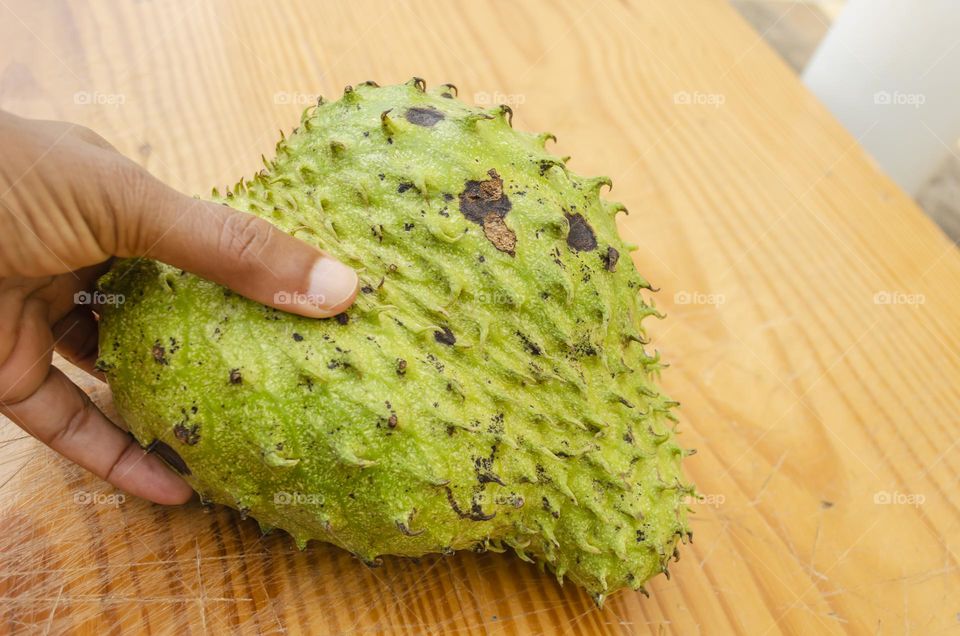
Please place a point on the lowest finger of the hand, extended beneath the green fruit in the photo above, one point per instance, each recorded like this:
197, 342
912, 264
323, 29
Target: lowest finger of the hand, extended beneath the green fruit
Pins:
61, 416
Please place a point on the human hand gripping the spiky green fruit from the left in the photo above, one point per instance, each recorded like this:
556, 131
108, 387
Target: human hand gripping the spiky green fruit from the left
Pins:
69, 203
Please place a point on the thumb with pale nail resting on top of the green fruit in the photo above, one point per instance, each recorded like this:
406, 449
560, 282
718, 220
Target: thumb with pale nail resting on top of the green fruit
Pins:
238, 250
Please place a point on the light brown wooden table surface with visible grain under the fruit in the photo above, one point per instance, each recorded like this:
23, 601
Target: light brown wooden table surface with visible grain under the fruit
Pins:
813, 320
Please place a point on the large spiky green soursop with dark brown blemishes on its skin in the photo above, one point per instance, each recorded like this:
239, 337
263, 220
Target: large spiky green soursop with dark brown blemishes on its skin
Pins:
490, 388
